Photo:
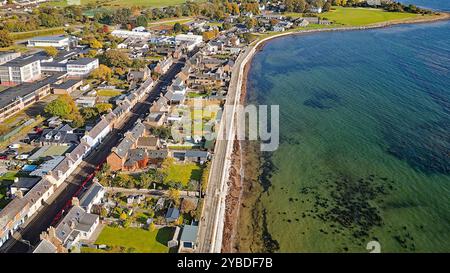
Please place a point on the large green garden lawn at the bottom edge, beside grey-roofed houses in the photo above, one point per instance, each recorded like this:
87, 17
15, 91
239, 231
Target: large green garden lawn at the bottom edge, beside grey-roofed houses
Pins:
141, 240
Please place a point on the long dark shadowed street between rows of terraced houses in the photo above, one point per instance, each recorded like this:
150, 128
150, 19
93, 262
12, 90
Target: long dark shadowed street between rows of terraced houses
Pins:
43, 219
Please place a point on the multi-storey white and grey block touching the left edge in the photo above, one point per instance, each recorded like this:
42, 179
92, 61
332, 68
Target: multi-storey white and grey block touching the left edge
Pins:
20, 70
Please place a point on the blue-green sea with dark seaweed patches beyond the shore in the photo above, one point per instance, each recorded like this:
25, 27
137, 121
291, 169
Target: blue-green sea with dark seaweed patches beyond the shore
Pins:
365, 139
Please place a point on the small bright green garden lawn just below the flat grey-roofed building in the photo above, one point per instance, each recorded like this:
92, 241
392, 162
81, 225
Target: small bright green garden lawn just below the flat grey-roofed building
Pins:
182, 172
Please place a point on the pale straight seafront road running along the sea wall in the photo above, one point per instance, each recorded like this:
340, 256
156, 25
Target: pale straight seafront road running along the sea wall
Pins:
211, 223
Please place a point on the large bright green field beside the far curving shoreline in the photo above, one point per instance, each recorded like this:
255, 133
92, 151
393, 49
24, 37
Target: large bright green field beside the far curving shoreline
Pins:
364, 16
